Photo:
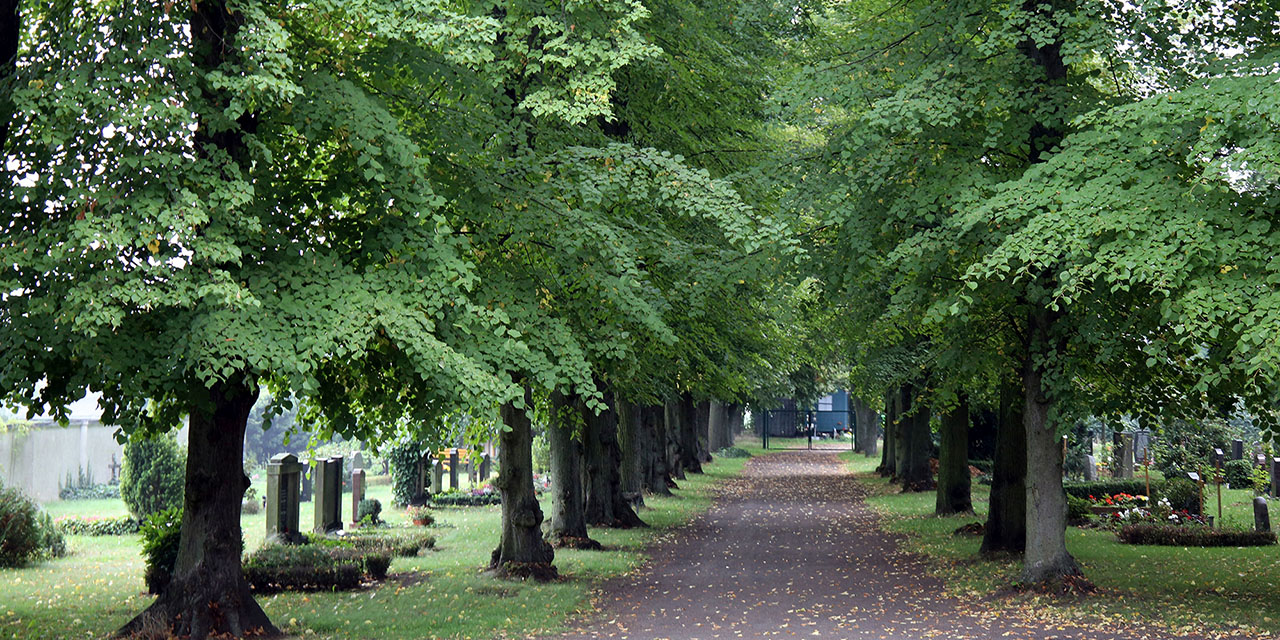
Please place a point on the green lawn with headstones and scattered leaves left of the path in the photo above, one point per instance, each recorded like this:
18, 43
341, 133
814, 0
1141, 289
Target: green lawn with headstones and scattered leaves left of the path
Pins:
438, 595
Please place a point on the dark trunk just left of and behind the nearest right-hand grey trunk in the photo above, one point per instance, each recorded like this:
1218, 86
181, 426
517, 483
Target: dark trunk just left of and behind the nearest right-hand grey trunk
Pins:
1007, 519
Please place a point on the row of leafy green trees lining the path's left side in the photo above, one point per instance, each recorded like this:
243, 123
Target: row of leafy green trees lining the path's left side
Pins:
386, 214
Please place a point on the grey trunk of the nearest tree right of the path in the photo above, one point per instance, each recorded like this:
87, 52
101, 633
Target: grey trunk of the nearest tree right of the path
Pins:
1046, 560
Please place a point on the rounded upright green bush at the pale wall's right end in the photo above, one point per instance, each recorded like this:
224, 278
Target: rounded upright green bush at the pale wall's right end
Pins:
152, 479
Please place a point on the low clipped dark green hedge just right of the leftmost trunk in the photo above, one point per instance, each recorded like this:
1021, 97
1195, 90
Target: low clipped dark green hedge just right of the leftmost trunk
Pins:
313, 568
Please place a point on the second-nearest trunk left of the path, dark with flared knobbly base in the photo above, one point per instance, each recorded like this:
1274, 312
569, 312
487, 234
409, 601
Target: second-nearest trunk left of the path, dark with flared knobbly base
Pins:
522, 552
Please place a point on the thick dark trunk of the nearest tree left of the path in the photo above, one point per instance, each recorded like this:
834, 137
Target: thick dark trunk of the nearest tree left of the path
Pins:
208, 595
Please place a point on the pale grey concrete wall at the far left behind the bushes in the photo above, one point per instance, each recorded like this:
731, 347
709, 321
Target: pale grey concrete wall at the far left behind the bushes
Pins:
38, 463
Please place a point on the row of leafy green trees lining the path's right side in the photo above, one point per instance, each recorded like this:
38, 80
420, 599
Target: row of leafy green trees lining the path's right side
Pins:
1045, 211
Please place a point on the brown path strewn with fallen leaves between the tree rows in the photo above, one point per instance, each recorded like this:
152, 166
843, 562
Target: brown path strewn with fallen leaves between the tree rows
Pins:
792, 551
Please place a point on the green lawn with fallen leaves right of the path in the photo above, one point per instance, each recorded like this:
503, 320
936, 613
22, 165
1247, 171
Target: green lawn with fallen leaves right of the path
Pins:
1183, 589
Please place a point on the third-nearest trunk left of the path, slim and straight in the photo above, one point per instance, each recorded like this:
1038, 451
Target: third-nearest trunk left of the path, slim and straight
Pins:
568, 523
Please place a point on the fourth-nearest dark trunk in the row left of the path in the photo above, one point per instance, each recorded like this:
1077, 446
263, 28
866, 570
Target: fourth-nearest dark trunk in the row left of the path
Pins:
605, 502
